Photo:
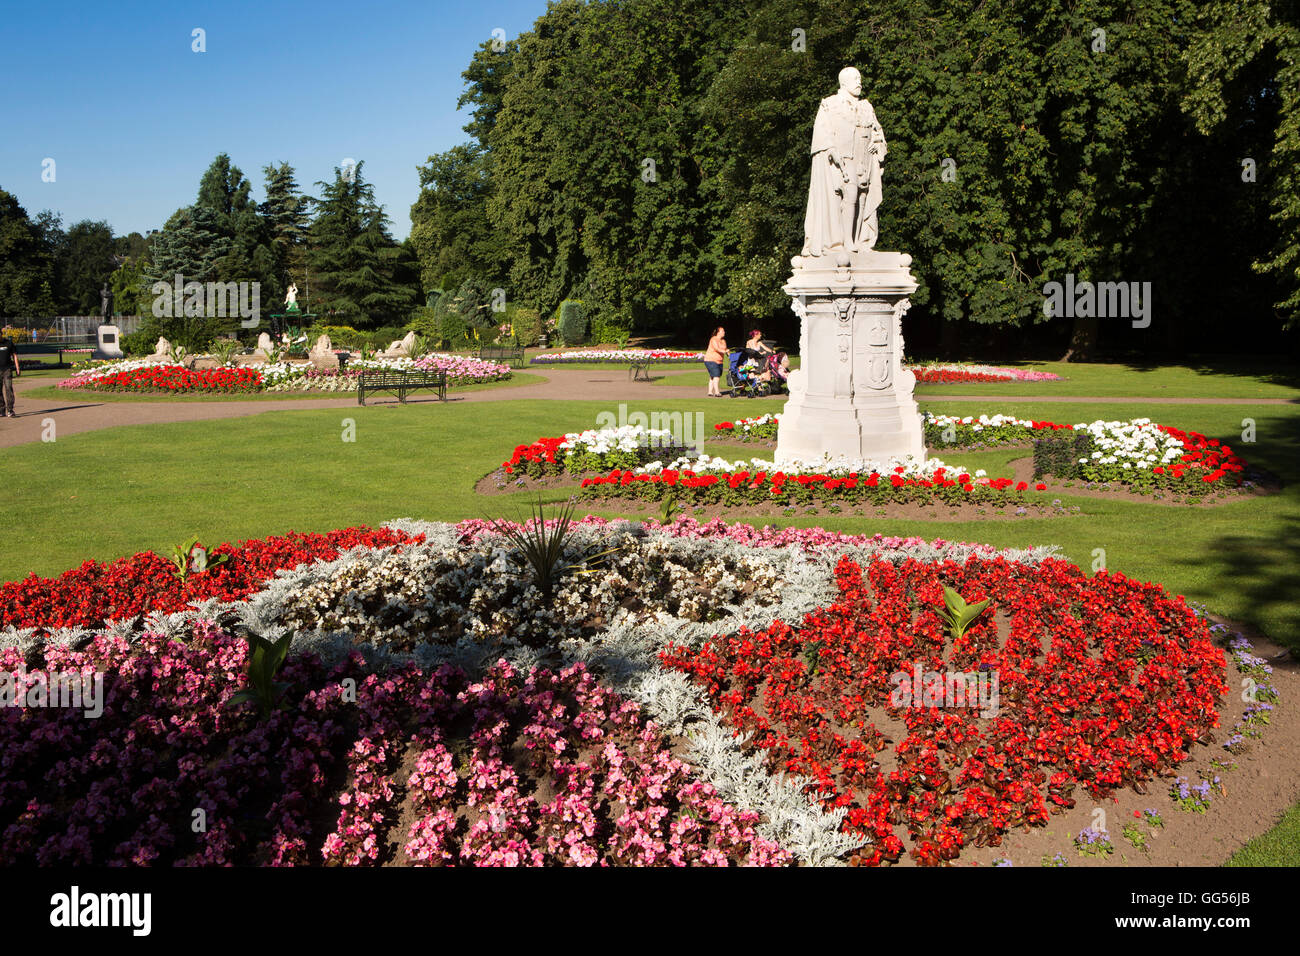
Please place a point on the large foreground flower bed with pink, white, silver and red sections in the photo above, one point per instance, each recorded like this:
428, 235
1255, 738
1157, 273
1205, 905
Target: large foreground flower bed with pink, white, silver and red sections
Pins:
439, 752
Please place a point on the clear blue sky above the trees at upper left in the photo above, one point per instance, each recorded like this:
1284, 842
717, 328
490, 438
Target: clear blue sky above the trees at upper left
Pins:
132, 115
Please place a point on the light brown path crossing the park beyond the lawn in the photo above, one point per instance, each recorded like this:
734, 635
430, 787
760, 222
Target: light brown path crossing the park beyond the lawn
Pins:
83, 414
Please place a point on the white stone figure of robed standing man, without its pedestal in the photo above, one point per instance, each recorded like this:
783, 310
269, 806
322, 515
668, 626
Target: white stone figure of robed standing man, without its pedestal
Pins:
844, 193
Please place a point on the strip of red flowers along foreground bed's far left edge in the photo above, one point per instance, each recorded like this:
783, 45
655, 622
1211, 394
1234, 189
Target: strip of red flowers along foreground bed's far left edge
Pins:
96, 592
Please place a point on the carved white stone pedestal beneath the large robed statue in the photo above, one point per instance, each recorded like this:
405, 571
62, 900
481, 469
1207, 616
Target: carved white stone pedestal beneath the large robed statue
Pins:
851, 396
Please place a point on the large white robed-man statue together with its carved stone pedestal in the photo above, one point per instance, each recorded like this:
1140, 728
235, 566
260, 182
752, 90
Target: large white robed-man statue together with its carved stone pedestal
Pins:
852, 396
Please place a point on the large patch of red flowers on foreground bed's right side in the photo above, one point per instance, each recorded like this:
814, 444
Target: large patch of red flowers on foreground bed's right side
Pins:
1102, 682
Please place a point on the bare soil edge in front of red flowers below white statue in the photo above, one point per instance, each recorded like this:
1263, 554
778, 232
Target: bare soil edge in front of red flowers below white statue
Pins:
1038, 505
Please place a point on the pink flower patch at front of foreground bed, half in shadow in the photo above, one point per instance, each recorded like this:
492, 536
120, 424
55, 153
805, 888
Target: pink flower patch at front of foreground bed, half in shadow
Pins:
552, 769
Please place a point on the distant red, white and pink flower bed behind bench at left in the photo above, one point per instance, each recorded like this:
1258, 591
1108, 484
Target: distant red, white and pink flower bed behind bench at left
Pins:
135, 375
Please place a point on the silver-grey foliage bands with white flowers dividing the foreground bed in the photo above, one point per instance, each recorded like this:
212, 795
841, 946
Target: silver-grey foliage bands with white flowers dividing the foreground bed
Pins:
626, 654
